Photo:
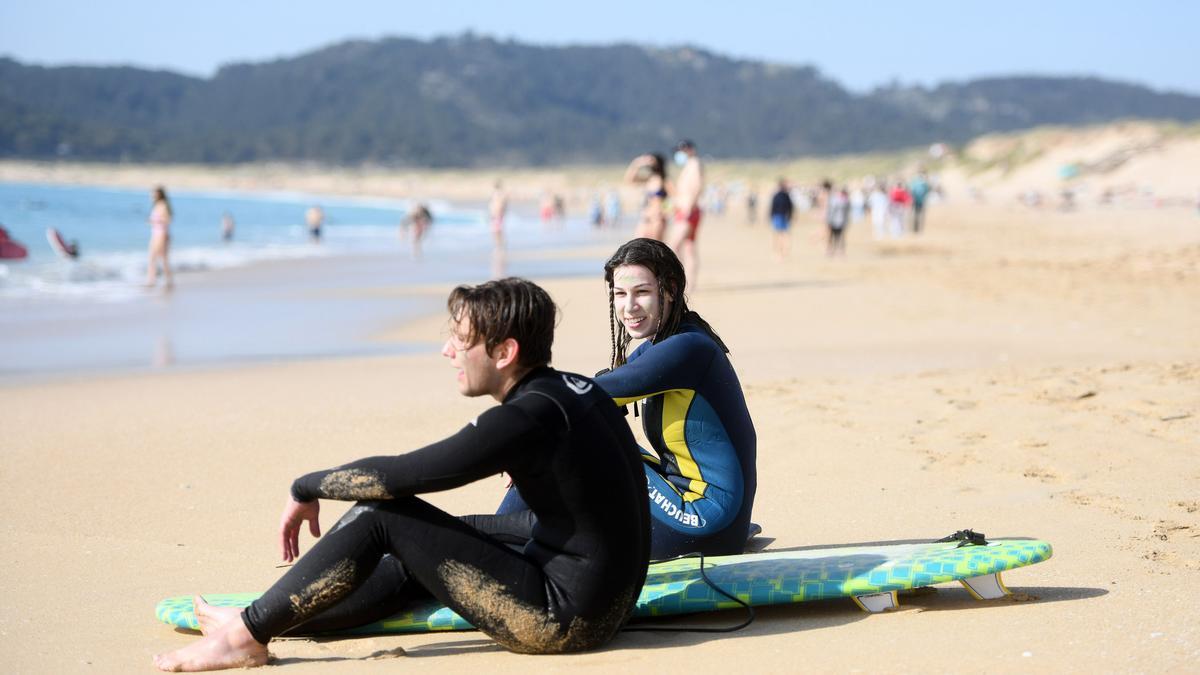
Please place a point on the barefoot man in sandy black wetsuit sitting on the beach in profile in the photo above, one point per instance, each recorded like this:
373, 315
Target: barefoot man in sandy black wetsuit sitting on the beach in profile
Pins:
567, 584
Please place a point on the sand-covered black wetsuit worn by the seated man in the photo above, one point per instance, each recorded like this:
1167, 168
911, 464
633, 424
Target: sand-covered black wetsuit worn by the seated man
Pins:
561, 577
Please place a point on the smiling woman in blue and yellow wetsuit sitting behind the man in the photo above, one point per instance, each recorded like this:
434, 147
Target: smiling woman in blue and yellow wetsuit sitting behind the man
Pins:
703, 480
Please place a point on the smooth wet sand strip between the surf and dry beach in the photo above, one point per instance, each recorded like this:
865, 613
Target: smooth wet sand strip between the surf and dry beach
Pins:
273, 312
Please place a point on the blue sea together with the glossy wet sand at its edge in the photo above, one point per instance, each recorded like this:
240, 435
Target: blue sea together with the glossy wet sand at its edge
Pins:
271, 294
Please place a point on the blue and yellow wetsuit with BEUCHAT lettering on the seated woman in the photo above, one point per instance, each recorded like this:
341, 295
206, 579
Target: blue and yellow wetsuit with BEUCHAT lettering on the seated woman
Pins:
704, 481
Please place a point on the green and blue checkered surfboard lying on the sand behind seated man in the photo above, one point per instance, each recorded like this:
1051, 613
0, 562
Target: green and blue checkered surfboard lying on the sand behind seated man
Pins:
873, 575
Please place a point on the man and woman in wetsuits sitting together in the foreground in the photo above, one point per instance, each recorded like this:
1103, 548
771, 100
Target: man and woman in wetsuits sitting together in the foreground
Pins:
560, 566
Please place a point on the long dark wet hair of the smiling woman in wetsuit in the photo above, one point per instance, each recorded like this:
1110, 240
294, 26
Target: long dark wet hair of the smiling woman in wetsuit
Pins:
668, 271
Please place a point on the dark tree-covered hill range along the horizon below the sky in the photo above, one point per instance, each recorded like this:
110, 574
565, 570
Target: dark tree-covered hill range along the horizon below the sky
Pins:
477, 101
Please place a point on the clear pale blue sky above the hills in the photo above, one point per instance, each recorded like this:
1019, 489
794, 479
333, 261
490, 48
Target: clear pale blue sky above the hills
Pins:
860, 44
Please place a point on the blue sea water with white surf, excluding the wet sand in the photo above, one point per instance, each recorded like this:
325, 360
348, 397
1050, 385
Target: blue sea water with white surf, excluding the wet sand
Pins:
112, 230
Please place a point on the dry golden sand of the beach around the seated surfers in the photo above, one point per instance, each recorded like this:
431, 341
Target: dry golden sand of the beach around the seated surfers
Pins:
1017, 372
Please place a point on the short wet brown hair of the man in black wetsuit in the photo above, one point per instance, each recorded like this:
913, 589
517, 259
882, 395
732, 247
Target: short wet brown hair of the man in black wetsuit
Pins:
508, 308
